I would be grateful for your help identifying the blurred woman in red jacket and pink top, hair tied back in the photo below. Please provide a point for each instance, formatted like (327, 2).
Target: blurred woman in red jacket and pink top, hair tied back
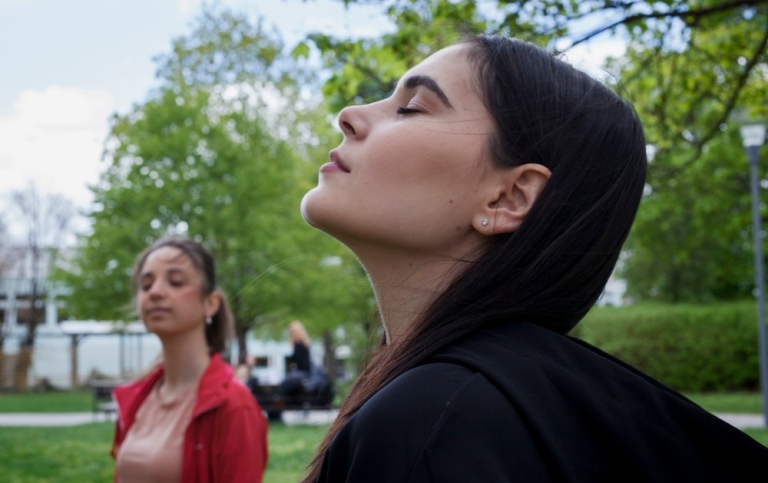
(189, 419)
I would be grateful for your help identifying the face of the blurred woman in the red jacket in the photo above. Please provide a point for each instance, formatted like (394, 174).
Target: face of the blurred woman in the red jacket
(170, 296)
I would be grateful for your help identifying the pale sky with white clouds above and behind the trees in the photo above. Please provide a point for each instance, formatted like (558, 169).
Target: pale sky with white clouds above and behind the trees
(67, 65)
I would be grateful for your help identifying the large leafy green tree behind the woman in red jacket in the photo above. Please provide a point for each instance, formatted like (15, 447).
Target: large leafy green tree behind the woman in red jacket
(214, 153)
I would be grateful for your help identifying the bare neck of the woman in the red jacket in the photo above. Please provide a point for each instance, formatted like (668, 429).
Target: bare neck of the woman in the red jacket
(185, 358)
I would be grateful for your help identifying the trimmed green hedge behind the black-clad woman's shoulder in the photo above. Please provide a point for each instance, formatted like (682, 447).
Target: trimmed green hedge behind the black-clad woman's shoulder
(691, 348)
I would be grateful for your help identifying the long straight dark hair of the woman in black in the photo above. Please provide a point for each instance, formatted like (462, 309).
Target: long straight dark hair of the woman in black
(554, 267)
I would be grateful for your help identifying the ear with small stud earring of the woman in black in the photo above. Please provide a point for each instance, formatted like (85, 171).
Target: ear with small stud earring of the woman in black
(511, 200)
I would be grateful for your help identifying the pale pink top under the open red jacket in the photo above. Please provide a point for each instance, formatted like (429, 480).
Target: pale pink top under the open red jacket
(152, 450)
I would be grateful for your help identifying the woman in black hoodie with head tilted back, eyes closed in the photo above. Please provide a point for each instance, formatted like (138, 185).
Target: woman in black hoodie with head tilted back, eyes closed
(488, 199)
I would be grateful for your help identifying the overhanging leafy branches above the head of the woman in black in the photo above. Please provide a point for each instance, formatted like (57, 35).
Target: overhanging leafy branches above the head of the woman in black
(702, 50)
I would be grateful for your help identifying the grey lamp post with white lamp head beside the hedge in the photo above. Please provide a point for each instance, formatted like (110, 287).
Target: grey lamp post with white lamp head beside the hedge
(753, 137)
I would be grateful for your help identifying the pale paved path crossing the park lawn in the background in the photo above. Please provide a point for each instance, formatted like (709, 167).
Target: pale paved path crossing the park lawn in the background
(313, 417)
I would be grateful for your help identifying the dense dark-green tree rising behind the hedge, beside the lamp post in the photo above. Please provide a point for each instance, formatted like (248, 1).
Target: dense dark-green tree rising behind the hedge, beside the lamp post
(692, 236)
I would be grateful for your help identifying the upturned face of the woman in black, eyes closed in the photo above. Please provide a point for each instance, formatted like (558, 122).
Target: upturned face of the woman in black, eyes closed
(408, 172)
